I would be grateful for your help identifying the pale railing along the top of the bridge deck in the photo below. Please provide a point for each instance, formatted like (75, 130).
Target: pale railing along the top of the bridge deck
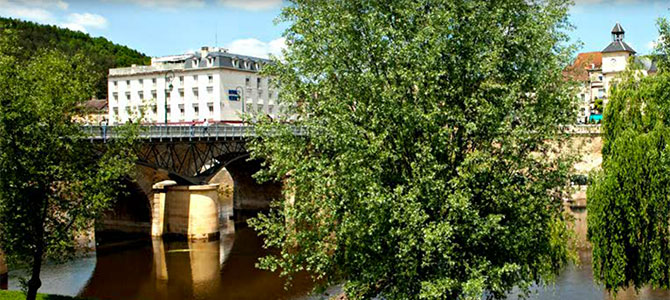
(159, 132)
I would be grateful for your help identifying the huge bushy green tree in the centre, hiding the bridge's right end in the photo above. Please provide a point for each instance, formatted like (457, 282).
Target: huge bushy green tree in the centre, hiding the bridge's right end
(430, 167)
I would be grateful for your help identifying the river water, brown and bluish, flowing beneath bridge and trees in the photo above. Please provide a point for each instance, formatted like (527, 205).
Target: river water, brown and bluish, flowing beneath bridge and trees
(225, 270)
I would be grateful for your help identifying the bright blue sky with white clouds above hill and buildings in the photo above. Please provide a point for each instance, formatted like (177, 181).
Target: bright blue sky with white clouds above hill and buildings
(166, 27)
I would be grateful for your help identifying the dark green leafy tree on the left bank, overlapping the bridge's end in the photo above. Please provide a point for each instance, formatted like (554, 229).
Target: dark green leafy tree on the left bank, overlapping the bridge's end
(53, 182)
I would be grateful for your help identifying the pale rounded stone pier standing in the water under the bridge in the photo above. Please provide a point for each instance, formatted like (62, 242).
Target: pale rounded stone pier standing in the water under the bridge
(186, 211)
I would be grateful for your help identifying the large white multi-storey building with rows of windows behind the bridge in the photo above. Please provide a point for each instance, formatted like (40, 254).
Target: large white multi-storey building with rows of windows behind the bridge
(211, 84)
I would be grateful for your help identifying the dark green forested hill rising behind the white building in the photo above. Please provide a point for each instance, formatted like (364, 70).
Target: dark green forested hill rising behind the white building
(103, 53)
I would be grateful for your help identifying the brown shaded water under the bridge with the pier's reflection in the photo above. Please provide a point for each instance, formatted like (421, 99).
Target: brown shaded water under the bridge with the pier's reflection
(190, 270)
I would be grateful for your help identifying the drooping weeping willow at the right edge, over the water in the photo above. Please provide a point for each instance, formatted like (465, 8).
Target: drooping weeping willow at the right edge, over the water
(628, 204)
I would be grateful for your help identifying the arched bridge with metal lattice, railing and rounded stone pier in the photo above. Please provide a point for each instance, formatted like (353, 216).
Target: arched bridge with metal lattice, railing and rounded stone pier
(189, 180)
